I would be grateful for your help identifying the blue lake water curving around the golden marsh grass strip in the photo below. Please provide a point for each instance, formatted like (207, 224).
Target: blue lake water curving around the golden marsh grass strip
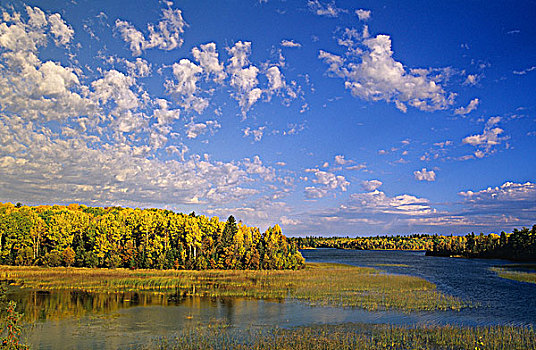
(74, 320)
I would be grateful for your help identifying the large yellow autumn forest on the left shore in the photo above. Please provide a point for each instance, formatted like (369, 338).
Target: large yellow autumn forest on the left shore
(76, 235)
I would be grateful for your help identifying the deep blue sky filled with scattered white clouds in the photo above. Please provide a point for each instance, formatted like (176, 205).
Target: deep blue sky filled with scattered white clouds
(325, 117)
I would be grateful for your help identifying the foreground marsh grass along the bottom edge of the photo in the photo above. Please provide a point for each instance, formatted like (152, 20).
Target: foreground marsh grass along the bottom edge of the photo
(351, 336)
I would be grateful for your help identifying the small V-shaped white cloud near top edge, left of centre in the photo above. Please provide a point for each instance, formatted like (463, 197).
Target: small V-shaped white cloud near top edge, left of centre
(165, 35)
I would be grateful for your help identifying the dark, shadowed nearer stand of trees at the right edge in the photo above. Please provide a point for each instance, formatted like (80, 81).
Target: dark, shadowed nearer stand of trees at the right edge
(518, 245)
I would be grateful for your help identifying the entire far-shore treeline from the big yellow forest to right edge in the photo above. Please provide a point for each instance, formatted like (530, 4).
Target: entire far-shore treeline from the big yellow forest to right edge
(518, 245)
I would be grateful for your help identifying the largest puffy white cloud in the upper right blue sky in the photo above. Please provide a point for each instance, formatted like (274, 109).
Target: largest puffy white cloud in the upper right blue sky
(371, 73)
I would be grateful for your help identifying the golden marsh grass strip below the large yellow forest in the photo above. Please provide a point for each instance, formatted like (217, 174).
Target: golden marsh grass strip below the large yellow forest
(318, 284)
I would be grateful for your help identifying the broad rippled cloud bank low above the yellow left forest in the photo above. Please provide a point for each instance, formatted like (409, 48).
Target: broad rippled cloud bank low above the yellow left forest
(65, 169)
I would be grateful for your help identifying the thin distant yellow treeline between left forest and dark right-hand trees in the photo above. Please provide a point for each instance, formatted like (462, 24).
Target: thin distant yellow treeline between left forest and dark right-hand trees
(411, 242)
